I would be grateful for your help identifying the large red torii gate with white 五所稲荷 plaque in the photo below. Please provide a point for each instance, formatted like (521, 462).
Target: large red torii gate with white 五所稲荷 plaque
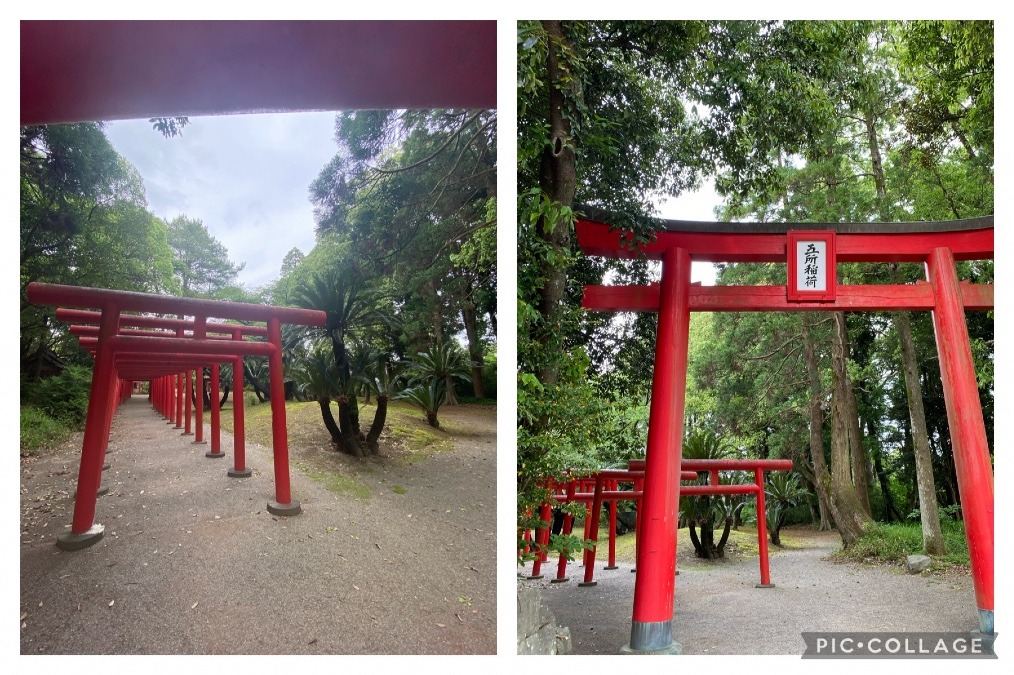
(811, 288)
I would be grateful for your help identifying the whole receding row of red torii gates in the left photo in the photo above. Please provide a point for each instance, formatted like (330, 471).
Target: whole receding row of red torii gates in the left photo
(130, 344)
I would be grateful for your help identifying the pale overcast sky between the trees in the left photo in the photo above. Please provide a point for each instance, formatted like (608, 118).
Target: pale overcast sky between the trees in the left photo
(247, 178)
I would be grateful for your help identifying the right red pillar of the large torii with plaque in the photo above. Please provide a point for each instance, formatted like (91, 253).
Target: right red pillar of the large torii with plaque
(965, 419)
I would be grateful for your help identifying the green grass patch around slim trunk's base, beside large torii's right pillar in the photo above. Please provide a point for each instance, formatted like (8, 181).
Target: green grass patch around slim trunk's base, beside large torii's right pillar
(891, 544)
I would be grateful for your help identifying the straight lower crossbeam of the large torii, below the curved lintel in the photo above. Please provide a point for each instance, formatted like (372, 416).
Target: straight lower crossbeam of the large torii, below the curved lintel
(773, 298)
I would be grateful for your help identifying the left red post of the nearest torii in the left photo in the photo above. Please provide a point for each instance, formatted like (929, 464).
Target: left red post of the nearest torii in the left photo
(85, 531)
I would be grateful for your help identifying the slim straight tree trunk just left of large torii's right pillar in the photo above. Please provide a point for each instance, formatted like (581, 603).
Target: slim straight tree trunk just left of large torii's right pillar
(933, 542)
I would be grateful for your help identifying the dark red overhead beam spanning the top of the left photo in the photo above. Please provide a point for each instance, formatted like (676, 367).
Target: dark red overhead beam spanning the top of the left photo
(76, 71)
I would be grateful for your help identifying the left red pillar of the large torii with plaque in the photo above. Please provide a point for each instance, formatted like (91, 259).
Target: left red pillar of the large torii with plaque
(651, 627)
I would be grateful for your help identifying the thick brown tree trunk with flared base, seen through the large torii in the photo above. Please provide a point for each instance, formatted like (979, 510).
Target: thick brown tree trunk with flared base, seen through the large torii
(850, 517)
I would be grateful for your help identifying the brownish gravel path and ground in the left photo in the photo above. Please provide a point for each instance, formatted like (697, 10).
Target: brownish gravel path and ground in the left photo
(192, 563)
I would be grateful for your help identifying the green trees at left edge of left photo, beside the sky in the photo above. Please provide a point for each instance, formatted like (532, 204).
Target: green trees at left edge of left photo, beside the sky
(85, 222)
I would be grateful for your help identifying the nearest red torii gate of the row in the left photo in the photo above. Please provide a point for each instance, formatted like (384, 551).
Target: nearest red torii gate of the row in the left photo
(122, 352)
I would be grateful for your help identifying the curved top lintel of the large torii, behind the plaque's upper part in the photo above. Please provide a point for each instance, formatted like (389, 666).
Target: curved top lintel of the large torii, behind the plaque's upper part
(599, 240)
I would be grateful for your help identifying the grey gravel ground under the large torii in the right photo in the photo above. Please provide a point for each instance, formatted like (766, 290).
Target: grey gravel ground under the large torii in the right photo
(719, 612)
